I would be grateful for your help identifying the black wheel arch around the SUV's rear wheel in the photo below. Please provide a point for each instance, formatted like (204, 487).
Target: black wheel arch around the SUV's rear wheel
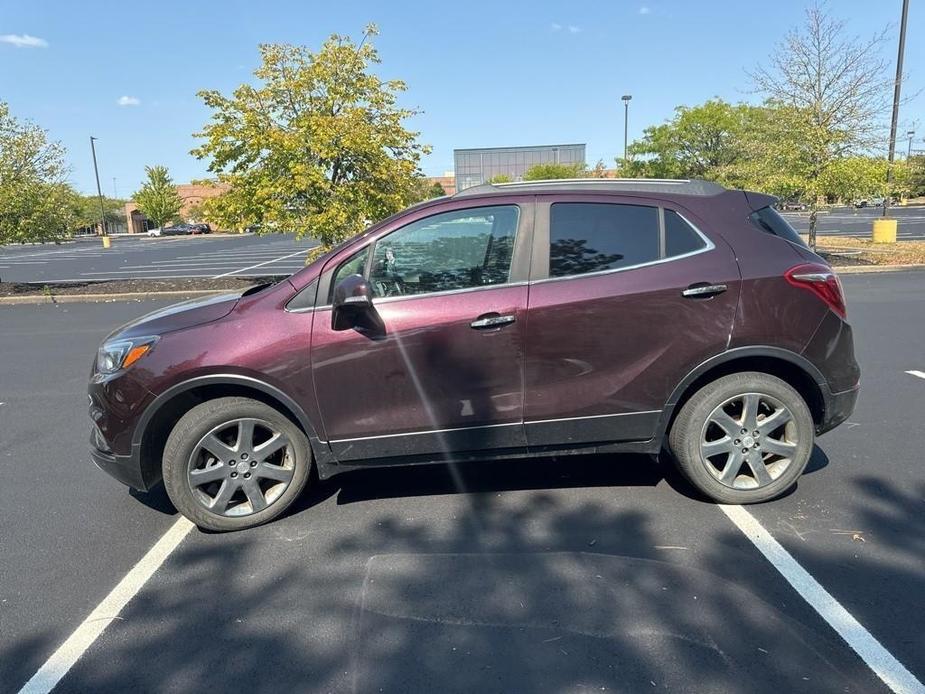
(790, 367)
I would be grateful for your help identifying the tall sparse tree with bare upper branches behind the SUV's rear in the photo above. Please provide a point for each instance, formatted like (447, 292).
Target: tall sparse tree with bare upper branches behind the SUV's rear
(829, 92)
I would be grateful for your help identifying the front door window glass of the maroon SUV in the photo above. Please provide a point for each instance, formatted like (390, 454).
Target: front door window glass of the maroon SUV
(462, 249)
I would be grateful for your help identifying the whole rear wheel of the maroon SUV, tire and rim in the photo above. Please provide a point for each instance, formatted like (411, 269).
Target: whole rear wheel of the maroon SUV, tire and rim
(744, 438)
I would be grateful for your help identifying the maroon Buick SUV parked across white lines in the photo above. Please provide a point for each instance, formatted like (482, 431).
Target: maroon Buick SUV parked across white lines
(512, 320)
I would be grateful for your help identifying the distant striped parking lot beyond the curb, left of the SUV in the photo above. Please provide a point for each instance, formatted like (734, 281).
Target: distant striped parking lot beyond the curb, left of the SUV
(154, 258)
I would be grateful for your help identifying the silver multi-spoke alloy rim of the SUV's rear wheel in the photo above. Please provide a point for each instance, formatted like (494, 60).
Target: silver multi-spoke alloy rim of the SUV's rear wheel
(749, 441)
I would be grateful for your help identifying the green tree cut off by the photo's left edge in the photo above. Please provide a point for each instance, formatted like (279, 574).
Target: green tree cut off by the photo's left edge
(36, 204)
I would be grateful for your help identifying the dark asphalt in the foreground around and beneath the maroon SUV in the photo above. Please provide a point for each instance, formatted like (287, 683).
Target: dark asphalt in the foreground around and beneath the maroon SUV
(599, 573)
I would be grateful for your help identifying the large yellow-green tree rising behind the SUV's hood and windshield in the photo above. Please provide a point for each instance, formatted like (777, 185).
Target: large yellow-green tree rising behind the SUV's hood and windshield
(319, 146)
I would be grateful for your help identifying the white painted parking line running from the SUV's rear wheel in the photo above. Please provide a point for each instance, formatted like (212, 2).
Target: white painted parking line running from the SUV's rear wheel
(893, 673)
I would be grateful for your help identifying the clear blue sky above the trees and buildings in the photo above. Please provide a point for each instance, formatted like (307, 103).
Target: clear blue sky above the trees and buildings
(484, 73)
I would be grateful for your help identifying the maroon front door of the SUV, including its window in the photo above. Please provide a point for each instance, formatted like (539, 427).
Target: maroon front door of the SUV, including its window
(443, 372)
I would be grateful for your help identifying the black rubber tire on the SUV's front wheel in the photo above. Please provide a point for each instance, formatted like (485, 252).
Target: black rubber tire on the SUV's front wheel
(205, 418)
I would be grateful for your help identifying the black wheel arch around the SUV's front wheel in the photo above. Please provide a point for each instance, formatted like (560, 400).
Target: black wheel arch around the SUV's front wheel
(165, 411)
